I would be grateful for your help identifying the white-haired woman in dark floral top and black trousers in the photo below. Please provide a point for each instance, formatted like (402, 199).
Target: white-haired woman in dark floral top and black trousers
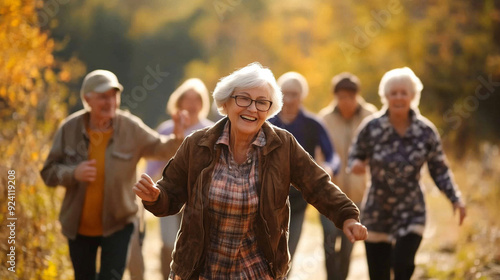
(395, 144)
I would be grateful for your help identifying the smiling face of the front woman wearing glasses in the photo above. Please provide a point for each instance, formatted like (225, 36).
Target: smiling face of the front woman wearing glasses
(246, 121)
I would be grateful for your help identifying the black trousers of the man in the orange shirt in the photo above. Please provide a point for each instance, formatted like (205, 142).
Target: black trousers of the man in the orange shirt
(114, 249)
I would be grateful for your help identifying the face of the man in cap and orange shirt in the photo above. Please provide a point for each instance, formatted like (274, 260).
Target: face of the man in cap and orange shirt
(103, 105)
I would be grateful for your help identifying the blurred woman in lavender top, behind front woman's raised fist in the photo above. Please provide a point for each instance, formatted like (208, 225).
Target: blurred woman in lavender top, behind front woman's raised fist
(190, 103)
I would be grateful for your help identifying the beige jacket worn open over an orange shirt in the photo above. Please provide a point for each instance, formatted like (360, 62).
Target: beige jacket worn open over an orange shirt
(131, 140)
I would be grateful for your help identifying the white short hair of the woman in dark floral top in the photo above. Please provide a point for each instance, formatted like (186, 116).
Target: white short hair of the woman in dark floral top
(401, 75)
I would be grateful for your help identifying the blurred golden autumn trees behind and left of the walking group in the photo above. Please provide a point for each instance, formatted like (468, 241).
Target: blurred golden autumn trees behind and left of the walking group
(46, 47)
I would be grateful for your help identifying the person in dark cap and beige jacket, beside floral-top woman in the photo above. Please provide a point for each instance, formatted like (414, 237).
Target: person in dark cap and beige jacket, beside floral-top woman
(341, 118)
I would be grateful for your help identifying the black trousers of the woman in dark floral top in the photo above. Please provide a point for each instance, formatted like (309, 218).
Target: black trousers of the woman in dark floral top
(400, 257)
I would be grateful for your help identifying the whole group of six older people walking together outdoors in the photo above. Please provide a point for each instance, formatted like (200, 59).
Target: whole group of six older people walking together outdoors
(232, 195)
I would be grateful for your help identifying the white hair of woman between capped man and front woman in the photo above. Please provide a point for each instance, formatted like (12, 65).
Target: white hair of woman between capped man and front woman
(196, 85)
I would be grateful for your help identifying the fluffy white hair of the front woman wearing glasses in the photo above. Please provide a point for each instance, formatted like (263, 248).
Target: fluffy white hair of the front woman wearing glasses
(251, 76)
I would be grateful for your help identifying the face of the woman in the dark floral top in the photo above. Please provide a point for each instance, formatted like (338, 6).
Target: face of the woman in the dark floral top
(399, 98)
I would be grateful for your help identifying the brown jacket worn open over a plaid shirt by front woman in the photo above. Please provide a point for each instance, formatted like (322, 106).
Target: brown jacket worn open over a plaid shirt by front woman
(187, 177)
